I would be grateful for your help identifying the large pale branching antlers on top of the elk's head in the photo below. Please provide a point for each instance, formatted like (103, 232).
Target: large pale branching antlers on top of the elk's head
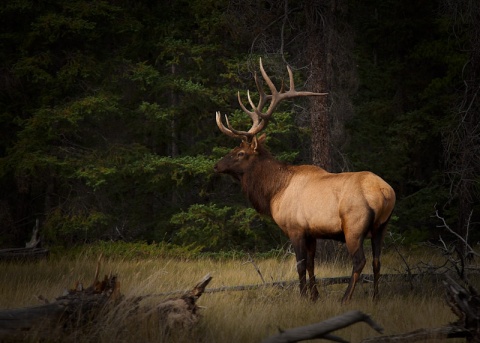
(260, 119)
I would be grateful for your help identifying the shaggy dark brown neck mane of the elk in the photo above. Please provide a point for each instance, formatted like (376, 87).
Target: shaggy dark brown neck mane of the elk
(265, 178)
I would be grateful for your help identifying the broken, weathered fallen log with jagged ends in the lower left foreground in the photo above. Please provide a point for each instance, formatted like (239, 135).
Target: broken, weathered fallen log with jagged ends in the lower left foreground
(81, 306)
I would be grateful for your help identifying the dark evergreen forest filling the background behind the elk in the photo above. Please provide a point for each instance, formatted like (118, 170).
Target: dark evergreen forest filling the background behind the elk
(107, 113)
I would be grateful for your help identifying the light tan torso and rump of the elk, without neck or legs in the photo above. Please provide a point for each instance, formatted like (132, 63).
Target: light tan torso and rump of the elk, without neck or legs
(316, 201)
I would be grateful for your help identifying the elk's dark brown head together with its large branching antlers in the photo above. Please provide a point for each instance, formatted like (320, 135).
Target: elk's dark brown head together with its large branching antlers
(239, 159)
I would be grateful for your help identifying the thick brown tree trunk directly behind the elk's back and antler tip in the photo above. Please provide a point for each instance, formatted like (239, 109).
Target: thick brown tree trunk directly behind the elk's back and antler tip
(324, 47)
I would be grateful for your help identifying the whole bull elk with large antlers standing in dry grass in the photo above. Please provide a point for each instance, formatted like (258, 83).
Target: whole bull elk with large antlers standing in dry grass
(306, 201)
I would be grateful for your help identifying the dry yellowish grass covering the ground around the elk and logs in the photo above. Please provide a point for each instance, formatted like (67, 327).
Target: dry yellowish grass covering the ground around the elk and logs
(233, 316)
